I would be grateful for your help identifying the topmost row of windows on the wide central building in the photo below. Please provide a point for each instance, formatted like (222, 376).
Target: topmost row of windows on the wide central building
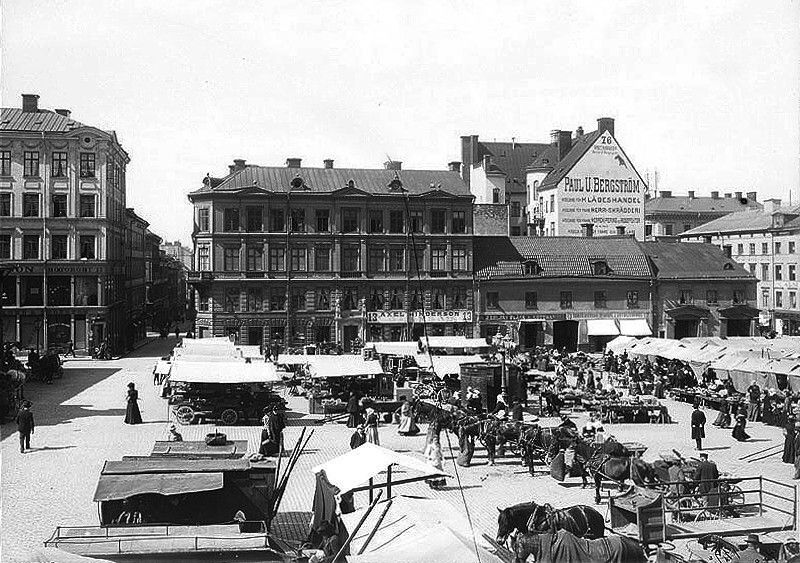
(350, 220)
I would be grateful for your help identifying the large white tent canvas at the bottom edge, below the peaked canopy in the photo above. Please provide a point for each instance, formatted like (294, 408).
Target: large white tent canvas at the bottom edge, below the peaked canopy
(411, 530)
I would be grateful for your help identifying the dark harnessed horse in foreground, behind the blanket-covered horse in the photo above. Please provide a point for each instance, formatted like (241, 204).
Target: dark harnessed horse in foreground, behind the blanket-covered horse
(581, 520)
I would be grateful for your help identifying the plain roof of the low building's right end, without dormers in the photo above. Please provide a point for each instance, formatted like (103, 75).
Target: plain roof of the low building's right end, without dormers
(691, 260)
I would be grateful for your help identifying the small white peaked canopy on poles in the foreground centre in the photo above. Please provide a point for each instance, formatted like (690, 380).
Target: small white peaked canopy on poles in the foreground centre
(358, 466)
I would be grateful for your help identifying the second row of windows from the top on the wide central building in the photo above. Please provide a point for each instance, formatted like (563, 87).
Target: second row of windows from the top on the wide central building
(379, 259)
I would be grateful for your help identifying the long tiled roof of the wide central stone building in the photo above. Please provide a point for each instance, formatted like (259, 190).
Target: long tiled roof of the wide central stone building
(326, 180)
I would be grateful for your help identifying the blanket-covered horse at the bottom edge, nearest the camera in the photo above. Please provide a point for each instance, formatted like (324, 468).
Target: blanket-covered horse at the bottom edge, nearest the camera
(563, 546)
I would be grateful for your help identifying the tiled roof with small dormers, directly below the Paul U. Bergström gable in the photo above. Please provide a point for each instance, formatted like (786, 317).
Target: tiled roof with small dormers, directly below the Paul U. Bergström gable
(498, 257)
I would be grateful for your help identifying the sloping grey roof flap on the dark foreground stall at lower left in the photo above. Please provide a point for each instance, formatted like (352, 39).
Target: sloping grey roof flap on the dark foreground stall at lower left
(117, 487)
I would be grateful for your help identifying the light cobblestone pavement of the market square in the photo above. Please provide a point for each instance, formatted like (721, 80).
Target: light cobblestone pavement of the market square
(80, 426)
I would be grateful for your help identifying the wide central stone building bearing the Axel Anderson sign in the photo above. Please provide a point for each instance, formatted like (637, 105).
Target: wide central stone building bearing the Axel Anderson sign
(303, 255)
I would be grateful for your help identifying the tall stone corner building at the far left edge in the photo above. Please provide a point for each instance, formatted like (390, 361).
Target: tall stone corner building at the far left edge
(62, 228)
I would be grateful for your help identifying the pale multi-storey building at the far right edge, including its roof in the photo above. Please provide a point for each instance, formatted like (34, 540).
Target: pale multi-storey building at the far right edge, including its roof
(767, 243)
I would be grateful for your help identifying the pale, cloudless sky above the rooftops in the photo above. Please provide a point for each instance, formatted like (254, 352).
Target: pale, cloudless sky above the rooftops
(707, 93)
